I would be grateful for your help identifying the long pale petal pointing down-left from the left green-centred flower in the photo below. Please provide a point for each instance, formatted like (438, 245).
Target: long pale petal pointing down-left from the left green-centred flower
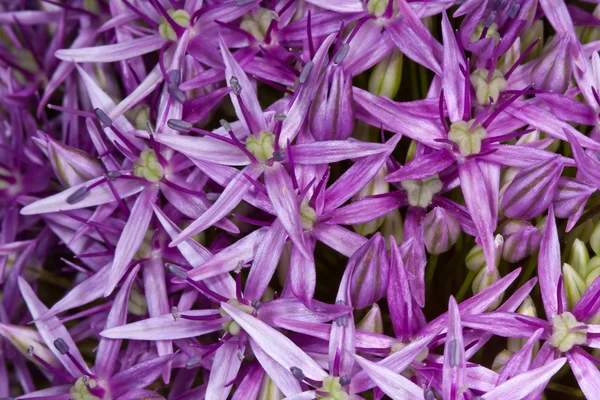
(131, 237)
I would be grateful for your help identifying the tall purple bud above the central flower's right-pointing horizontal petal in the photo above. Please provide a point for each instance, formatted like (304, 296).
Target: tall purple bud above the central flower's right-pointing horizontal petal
(332, 112)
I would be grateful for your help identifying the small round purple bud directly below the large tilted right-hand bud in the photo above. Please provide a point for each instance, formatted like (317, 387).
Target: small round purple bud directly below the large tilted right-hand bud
(521, 239)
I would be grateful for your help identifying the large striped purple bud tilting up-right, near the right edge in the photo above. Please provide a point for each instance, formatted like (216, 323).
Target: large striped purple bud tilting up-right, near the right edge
(532, 190)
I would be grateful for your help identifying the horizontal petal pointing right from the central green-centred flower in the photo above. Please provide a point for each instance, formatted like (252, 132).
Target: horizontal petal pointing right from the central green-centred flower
(330, 151)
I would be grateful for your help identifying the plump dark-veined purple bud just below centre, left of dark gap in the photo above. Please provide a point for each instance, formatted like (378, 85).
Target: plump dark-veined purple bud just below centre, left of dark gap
(368, 281)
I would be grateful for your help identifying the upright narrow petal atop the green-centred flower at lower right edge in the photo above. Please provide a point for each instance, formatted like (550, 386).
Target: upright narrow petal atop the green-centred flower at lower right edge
(549, 266)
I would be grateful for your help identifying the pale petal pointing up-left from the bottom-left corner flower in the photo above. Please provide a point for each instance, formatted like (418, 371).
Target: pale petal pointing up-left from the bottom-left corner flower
(50, 329)
